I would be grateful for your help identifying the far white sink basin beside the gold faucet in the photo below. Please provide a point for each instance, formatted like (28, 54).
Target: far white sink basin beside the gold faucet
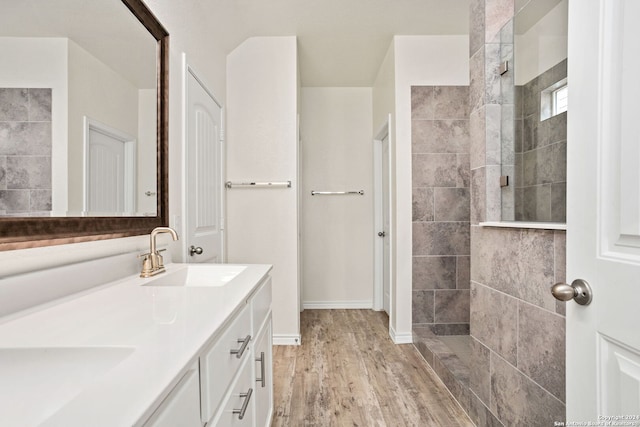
(203, 275)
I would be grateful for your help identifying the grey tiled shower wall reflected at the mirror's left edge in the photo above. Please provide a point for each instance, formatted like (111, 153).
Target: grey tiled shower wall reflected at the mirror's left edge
(25, 151)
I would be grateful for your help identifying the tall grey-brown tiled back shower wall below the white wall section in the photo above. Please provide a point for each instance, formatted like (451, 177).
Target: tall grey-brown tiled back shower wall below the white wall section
(440, 165)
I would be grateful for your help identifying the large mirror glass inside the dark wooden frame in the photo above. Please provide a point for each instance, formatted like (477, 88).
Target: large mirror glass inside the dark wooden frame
(78, 110)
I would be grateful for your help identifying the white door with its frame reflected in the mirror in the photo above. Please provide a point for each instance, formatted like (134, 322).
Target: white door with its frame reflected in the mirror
(109, 180)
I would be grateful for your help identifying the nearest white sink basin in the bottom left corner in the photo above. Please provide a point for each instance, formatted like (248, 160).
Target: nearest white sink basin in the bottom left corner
(36, 382)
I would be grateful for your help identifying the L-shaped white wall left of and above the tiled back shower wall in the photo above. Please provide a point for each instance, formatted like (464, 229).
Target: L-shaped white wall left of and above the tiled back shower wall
(419, 61)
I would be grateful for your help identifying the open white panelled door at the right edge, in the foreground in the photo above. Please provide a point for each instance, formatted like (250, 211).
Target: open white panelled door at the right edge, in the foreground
(603, 216)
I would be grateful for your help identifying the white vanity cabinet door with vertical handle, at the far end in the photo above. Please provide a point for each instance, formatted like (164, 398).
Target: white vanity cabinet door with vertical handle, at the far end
(263, 369)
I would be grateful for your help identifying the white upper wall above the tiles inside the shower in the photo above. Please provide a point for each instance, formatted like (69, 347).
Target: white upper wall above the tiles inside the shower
(542, 46)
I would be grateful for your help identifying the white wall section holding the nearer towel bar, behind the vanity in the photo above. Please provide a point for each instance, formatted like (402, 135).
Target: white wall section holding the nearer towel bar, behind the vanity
(262, 145)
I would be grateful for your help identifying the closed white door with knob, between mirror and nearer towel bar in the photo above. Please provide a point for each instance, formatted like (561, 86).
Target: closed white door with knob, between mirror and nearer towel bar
(204, 220)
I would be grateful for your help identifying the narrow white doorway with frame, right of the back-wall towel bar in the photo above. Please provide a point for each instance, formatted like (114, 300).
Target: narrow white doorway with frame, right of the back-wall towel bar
(378, 250)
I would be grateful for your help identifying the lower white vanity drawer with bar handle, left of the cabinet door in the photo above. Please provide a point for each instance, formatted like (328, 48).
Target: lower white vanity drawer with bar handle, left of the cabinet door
(238, 402)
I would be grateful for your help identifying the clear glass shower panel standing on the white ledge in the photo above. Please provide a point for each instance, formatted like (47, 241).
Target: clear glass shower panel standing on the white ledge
(534, 112)
